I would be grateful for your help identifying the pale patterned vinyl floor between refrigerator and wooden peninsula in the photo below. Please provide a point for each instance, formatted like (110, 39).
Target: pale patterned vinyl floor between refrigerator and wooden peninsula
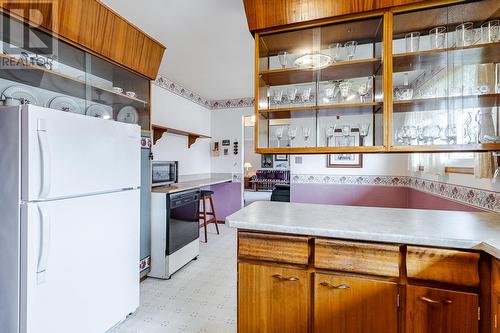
(199, 298)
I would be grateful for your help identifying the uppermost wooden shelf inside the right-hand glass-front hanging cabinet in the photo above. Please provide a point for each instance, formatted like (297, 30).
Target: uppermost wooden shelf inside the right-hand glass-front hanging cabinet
(469, 55)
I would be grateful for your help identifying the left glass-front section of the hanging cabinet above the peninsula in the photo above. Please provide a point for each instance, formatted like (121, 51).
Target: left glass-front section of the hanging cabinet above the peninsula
(320, 88)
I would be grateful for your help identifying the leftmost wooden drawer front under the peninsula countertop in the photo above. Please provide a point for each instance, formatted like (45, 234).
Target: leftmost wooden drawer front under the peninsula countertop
(276, 248)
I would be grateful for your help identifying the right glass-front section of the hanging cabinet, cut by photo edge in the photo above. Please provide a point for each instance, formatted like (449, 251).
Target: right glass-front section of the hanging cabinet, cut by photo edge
(446, 78)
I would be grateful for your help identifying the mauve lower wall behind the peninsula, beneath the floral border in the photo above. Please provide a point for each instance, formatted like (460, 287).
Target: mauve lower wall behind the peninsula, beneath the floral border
(375, 196)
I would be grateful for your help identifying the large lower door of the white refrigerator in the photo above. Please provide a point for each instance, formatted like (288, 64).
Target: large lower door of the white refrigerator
(79, 263)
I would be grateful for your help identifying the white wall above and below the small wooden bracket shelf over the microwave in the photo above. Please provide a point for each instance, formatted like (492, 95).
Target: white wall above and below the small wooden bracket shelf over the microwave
(173, 111)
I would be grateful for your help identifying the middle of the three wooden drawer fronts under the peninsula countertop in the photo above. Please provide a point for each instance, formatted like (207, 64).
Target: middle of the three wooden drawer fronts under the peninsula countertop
(375, 259)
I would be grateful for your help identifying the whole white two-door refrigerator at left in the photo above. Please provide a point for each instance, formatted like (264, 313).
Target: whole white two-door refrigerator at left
(69, 221)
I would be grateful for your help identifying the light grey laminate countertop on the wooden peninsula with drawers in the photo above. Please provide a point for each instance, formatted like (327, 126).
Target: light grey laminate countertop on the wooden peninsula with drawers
(452, 229)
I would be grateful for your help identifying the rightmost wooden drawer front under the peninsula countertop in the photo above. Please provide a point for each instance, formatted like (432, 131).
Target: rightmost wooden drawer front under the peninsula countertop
(440, 265)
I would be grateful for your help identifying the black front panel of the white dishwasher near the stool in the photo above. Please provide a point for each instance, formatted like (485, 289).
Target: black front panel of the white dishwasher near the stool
(182, 219)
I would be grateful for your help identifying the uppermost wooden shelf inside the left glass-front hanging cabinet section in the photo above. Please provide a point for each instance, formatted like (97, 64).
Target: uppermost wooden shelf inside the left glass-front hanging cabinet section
(337, 71)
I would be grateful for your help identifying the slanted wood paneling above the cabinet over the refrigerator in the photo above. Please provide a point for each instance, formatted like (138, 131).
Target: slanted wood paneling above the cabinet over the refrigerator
(93, 26)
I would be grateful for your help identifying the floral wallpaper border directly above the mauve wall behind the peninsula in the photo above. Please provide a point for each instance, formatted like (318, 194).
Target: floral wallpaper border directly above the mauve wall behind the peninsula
(483, 199)
